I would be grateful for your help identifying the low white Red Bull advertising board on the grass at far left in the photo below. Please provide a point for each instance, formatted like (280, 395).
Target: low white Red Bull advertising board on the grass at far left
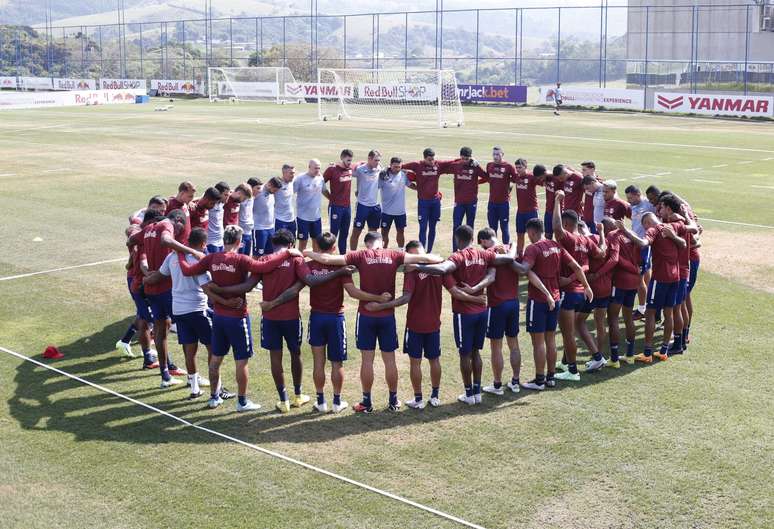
(22, 100)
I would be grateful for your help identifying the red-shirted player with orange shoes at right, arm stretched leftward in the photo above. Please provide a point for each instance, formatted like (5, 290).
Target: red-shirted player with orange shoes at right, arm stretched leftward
(665, 242)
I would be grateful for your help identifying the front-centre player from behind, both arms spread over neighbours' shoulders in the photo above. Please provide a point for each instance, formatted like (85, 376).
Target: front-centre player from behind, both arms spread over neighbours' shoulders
(377, 267)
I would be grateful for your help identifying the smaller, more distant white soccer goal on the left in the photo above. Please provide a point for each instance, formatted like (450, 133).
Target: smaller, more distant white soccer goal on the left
(260, 83)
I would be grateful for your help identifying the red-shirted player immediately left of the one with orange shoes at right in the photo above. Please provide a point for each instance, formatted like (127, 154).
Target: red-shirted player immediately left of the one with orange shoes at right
(626, 282)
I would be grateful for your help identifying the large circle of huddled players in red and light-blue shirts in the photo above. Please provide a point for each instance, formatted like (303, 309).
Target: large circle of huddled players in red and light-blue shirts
(192, 261)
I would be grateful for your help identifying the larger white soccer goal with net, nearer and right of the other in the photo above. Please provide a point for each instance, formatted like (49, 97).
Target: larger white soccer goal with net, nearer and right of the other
(427, 96)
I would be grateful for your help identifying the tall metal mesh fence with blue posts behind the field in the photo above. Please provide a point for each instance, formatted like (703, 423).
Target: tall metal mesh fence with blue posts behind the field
(691, 48)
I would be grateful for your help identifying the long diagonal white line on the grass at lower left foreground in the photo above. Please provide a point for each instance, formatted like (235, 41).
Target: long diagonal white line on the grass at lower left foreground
(257, 448)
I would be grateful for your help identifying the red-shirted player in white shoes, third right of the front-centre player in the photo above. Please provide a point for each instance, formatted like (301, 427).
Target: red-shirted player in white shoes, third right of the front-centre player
(503, 314)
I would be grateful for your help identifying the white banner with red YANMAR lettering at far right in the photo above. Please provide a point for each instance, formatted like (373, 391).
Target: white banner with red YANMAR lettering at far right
(714, 104)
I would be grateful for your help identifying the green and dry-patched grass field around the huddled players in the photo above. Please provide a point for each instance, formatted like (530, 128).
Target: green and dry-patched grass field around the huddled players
(685, 443)
